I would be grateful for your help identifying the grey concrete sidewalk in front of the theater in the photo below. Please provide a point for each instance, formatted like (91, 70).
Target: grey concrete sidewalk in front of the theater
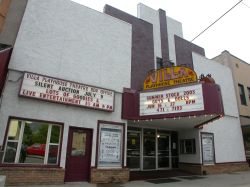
(237, 179)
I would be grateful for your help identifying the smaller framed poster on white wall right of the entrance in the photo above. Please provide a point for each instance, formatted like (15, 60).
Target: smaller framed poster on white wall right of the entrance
(207, 144)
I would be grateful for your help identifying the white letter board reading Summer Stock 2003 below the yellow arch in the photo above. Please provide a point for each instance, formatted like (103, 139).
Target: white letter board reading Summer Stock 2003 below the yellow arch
(182, 99)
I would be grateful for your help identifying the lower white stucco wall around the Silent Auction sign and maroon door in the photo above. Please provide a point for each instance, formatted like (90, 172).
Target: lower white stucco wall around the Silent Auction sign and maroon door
(13, 105)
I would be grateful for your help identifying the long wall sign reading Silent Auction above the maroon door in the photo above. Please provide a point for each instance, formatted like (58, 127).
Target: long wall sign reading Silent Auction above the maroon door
(66, 92)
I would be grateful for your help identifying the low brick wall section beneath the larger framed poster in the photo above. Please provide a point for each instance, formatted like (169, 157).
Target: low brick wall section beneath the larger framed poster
(109, 175)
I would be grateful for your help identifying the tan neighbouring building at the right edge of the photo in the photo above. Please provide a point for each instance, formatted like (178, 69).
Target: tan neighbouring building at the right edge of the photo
(240, 71)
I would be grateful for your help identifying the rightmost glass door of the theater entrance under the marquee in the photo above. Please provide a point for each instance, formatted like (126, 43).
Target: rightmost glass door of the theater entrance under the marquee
(163, 150)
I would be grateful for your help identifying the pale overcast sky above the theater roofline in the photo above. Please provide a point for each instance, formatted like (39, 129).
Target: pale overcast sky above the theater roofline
(231, 33)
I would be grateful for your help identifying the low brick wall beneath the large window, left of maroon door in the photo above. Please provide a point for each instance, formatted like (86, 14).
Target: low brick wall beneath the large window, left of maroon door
(30, 176)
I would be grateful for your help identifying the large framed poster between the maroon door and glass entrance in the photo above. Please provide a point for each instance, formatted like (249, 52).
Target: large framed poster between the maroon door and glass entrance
(110, 144)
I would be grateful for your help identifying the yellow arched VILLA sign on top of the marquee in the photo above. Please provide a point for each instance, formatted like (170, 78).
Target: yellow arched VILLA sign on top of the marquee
(170, 76)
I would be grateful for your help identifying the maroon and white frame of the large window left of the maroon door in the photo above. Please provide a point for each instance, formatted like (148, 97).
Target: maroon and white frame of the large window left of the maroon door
(17, 156)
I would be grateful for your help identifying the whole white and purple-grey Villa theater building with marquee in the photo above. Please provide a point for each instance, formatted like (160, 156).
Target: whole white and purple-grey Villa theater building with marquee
(103, 97)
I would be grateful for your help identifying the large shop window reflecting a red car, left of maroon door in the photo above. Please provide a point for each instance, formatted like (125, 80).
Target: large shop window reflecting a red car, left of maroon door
(32, 142)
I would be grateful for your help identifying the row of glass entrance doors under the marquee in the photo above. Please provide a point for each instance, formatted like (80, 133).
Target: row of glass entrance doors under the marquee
(149, 149)
